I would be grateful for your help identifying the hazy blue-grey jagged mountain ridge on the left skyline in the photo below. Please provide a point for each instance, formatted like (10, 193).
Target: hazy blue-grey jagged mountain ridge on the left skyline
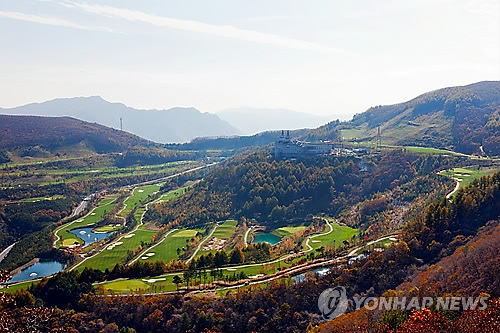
(165, 126)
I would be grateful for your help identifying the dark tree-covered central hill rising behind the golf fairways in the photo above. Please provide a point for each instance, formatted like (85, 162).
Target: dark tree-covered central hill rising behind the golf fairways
(272, 191)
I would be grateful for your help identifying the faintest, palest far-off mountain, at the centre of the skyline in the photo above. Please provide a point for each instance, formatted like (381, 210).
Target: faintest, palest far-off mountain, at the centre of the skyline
(251, 121)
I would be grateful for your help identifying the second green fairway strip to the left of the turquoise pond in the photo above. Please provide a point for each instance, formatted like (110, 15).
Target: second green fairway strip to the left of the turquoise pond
(167, 249)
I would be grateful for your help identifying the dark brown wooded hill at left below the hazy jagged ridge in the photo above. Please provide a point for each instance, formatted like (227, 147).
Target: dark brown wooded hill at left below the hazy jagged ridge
(25, 137)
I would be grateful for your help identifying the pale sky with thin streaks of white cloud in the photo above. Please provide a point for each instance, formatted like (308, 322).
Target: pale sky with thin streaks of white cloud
(327, 57)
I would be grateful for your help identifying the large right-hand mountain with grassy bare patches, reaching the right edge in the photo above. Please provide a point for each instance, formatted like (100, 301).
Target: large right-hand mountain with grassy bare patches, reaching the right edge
(464, 118)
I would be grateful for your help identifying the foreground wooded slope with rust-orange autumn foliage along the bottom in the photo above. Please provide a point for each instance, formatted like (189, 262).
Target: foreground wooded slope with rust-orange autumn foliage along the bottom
(283, 306)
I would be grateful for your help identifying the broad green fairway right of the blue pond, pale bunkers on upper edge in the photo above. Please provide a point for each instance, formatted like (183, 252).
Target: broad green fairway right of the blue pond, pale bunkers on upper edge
(117, 251)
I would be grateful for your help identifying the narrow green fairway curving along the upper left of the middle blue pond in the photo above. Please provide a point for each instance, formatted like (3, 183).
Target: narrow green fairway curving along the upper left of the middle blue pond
(96, 215)
